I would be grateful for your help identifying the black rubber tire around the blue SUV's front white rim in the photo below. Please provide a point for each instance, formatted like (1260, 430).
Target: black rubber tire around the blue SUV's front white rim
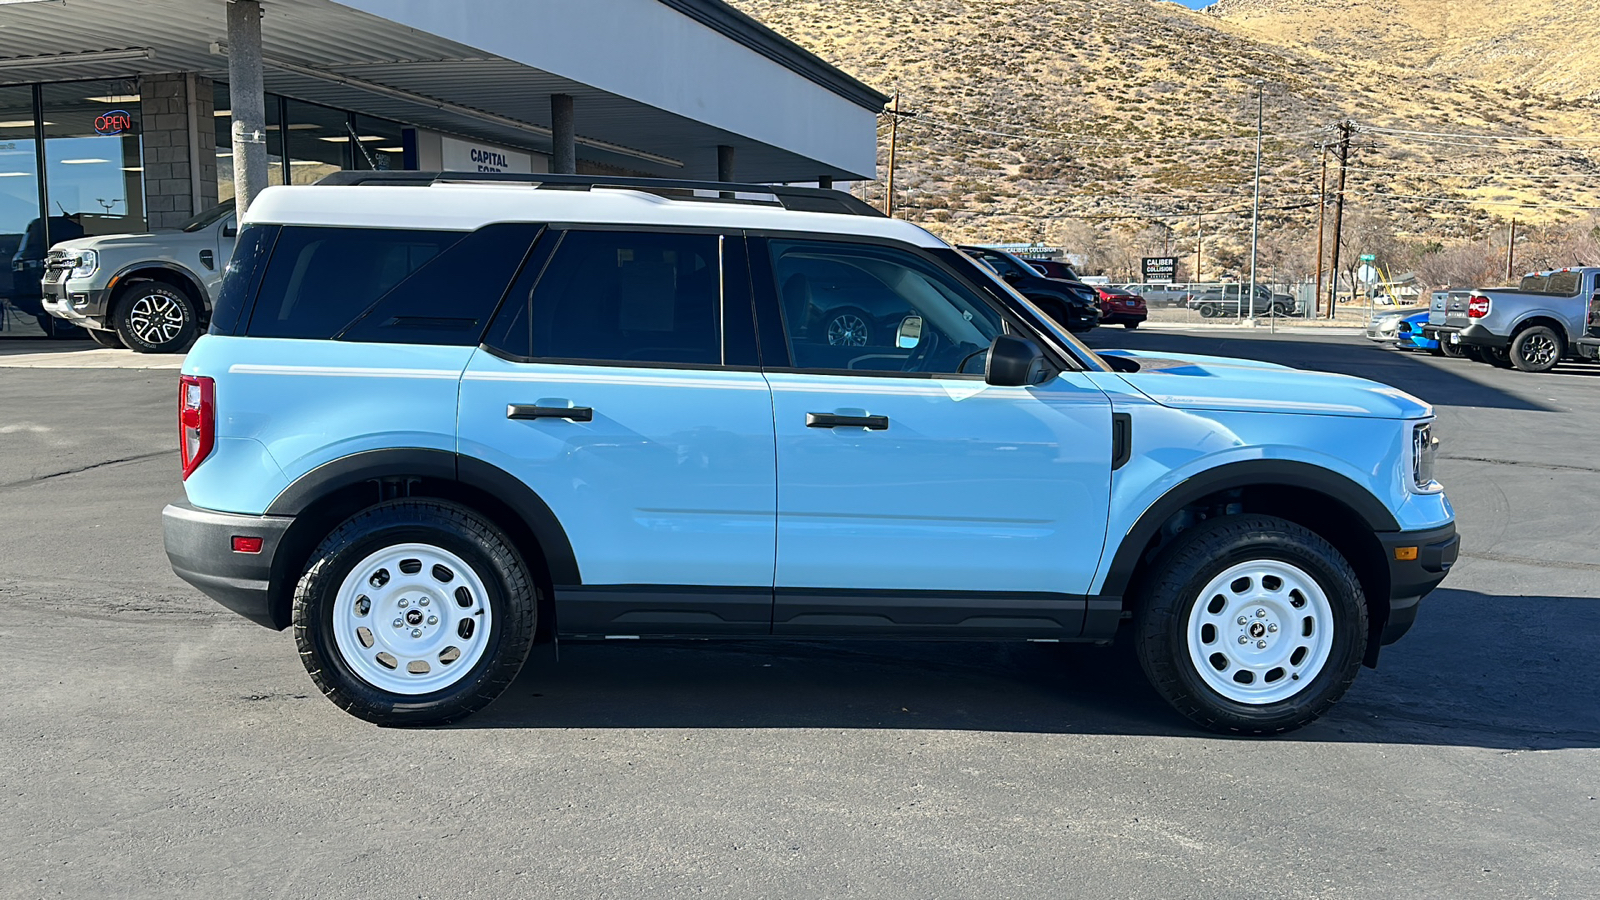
(1175, 587)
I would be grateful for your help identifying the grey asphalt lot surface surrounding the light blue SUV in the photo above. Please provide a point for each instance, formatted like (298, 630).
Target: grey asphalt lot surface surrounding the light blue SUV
(158, 745)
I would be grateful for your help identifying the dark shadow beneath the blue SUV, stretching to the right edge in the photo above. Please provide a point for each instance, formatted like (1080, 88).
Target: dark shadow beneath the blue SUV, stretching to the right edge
(1476, 672)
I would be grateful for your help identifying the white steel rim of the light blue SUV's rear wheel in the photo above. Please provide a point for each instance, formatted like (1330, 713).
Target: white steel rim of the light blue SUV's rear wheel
(412, 619)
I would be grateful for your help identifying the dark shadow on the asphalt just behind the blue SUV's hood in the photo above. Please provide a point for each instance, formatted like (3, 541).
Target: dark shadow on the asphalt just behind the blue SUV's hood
(1436, 380)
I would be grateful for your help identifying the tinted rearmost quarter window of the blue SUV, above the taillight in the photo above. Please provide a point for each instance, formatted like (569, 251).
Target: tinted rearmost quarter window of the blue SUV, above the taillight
(322, 278)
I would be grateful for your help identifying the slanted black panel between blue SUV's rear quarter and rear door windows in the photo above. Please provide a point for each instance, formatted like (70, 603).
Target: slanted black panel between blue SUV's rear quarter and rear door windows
(449, 300)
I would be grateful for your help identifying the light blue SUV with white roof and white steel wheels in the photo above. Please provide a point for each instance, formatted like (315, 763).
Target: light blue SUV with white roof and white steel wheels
(439, 419)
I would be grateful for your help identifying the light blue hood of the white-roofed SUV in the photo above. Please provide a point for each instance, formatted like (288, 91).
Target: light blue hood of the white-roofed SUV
(1188, 382)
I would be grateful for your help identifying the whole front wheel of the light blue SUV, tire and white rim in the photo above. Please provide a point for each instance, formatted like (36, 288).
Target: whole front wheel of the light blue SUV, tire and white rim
(1252, 624)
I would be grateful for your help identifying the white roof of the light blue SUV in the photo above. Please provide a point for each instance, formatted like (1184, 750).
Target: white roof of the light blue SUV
(468, 207)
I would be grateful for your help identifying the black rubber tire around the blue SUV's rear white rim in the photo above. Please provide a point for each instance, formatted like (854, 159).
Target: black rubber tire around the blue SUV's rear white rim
(513, 605)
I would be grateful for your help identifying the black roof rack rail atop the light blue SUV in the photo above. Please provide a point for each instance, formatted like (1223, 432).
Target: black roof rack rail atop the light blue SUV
(798, 199)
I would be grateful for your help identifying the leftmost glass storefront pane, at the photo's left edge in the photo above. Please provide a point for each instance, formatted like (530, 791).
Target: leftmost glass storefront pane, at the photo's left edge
(18, 212)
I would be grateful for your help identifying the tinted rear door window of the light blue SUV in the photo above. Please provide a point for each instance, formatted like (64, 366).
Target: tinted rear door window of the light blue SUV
(622, 297)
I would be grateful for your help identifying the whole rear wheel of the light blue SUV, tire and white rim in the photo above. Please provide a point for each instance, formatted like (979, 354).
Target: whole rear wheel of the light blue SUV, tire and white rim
(415, 613)
